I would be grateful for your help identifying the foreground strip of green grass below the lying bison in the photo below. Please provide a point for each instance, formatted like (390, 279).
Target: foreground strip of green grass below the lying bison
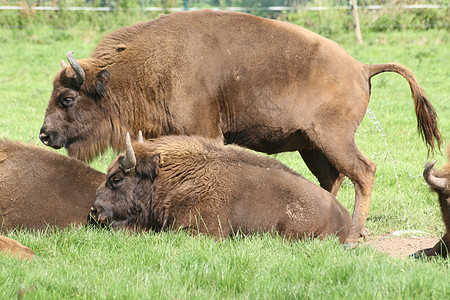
(81, 263)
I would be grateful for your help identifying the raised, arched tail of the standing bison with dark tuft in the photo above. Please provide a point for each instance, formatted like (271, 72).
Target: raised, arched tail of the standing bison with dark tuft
(425, 112)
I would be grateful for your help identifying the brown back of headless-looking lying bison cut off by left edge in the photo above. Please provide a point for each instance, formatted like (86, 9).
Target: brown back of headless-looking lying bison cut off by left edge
(40, 188)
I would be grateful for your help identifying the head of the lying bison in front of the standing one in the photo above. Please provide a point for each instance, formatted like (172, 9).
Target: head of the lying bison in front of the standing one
(125, 198)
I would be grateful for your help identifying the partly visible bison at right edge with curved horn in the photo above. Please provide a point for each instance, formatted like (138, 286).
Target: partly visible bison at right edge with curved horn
(439, 181)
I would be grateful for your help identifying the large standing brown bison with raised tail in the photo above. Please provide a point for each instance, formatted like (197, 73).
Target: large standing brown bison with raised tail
(263, 84)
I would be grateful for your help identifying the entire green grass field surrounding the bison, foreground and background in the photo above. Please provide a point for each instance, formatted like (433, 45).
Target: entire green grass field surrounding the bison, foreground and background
(84, 263)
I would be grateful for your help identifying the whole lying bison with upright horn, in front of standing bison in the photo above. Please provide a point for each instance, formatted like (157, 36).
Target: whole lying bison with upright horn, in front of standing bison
(206, 187)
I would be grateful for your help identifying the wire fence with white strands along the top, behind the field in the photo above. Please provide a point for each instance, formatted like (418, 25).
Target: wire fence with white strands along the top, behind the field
(235, 5)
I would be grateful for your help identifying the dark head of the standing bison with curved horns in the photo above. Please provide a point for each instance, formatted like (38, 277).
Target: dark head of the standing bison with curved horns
(75, 111)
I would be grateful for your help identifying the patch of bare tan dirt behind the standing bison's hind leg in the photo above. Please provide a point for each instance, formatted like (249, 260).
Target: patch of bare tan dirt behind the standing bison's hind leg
(400, 246)
